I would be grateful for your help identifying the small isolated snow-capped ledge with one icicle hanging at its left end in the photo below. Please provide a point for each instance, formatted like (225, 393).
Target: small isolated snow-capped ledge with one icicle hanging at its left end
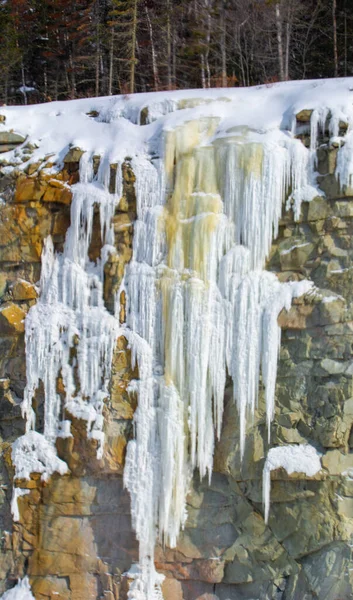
(302, 458)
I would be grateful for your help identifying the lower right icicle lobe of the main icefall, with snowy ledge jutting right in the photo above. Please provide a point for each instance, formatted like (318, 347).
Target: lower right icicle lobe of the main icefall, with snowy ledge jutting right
(254, 340)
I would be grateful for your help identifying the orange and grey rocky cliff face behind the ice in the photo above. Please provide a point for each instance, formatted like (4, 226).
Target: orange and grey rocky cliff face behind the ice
(73, 536)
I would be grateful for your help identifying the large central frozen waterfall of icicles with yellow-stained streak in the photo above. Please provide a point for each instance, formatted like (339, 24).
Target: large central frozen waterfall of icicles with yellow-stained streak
(198, 298)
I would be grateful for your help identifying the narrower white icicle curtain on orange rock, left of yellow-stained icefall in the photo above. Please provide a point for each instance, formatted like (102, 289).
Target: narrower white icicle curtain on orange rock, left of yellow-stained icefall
(69, 333)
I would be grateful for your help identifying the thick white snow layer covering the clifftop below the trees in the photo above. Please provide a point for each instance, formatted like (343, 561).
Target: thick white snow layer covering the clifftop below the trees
(116, 133)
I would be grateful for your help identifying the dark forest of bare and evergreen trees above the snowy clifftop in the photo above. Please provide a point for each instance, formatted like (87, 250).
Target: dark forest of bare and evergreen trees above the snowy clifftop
(64, 49)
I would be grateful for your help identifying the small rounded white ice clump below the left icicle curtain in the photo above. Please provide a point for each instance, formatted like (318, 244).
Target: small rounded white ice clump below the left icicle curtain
(33, 453)
